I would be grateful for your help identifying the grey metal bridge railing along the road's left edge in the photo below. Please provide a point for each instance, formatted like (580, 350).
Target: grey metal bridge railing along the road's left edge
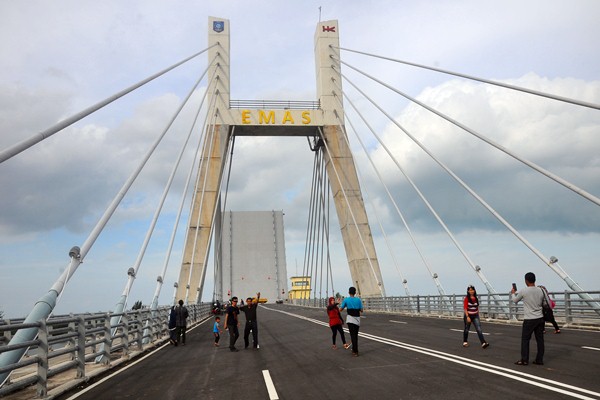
(75, 342)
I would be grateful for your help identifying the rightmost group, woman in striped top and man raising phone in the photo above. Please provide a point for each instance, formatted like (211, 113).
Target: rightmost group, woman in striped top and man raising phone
(537, 306)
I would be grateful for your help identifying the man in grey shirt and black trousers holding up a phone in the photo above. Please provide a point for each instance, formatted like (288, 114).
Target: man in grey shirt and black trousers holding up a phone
(533, 319)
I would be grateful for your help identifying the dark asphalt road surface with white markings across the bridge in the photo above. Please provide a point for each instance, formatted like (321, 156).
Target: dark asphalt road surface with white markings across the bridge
(400, 358)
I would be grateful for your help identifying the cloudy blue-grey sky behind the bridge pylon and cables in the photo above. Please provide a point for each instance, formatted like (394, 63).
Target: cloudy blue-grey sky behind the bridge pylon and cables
(61, 57)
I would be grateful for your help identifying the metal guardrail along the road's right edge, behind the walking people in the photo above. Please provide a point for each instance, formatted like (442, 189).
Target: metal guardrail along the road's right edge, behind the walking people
(570, 309)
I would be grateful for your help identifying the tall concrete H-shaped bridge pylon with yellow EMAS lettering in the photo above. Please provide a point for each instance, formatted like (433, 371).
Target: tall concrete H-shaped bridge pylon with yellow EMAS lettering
(323, 118)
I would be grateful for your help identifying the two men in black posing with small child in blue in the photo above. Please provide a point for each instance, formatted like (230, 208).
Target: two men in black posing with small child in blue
(232, 323)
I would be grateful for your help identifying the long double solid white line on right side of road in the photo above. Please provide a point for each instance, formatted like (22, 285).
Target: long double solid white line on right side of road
(505, 372)
